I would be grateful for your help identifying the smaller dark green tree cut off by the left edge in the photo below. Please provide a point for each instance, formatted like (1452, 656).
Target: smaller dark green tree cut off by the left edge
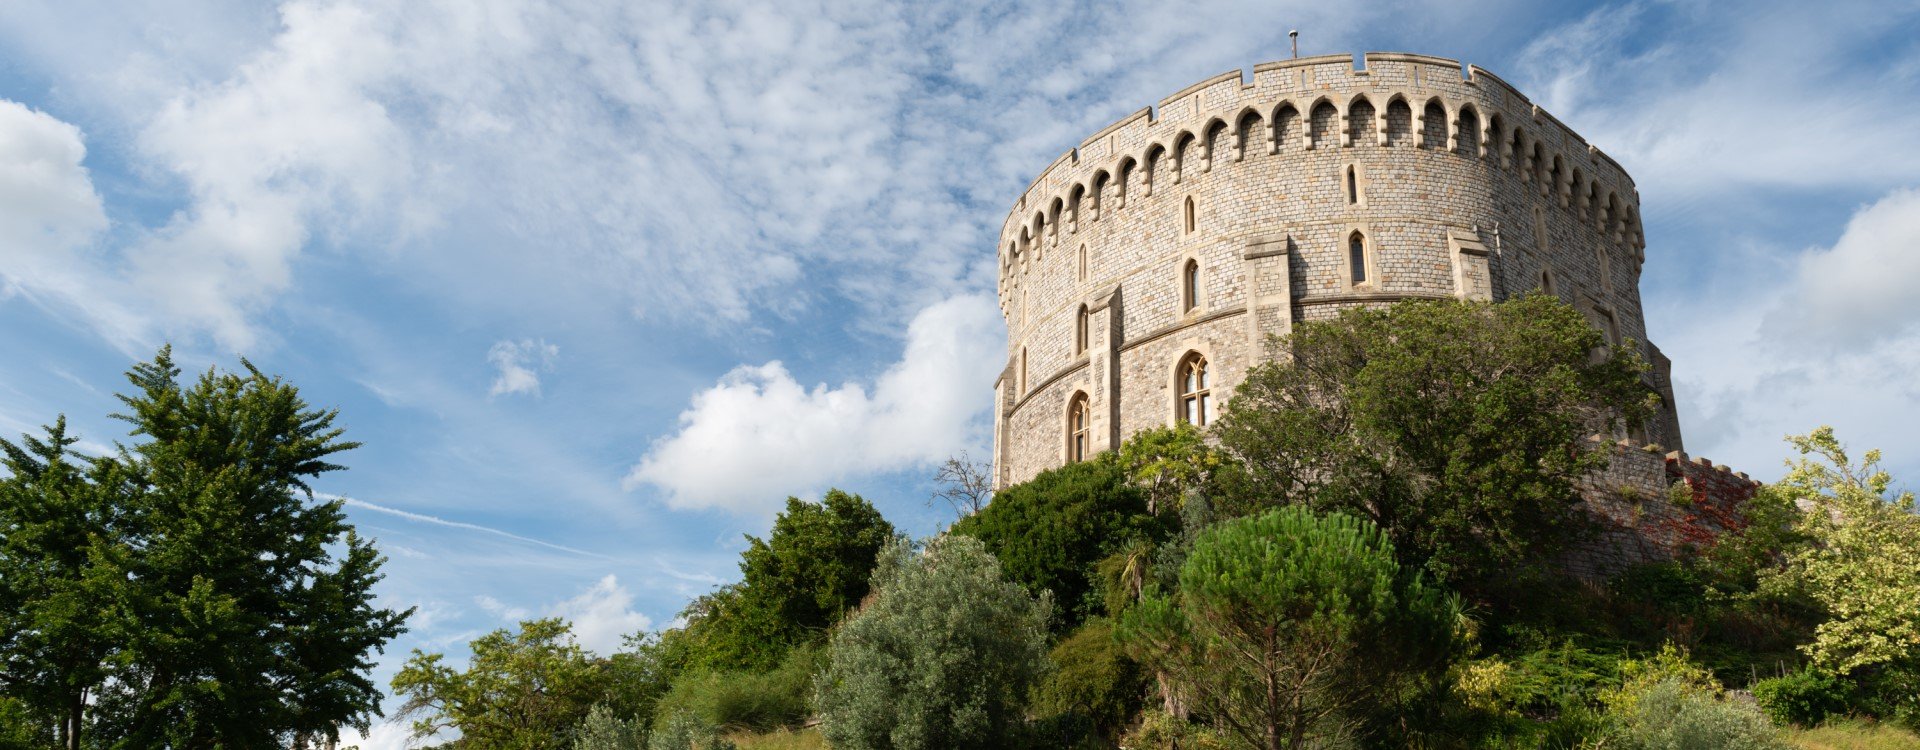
(59, 580)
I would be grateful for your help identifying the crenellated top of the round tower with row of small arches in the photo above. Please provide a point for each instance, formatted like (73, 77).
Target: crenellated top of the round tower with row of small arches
(1310, 105)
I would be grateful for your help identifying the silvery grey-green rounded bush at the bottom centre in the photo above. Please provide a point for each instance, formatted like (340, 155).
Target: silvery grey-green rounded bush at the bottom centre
(942, 657)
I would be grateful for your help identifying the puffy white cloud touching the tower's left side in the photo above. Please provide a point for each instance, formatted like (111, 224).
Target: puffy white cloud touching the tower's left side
(759, 436)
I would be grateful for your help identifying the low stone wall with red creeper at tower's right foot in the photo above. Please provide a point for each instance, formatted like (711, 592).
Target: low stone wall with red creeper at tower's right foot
(1646, 519)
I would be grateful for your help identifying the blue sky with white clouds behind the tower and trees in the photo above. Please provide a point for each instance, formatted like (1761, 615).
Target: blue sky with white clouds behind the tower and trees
(602, 283)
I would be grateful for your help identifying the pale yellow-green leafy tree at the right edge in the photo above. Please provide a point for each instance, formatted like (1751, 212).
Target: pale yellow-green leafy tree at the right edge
(1861, 557)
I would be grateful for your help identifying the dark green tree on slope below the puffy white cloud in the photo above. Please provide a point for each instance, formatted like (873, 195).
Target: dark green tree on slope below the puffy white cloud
(794, 586)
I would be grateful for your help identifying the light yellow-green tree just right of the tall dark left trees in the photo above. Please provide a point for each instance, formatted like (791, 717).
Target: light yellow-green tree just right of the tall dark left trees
(521, 691)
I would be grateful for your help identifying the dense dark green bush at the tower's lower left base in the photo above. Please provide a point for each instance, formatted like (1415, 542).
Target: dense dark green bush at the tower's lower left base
(1053, 530)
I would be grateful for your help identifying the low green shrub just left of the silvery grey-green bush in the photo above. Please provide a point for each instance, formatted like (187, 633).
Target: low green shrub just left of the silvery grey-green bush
(738, 699)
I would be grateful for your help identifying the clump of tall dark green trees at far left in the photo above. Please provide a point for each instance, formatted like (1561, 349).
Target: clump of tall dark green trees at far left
(187, 590)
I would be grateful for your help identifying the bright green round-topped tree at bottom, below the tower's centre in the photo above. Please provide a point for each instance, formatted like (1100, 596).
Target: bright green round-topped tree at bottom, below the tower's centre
(1289, 624)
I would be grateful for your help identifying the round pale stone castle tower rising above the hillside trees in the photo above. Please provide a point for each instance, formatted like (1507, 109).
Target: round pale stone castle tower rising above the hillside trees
(1143, 271)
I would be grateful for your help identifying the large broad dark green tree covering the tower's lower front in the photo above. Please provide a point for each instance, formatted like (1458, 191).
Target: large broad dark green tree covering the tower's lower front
(1460, 429)
